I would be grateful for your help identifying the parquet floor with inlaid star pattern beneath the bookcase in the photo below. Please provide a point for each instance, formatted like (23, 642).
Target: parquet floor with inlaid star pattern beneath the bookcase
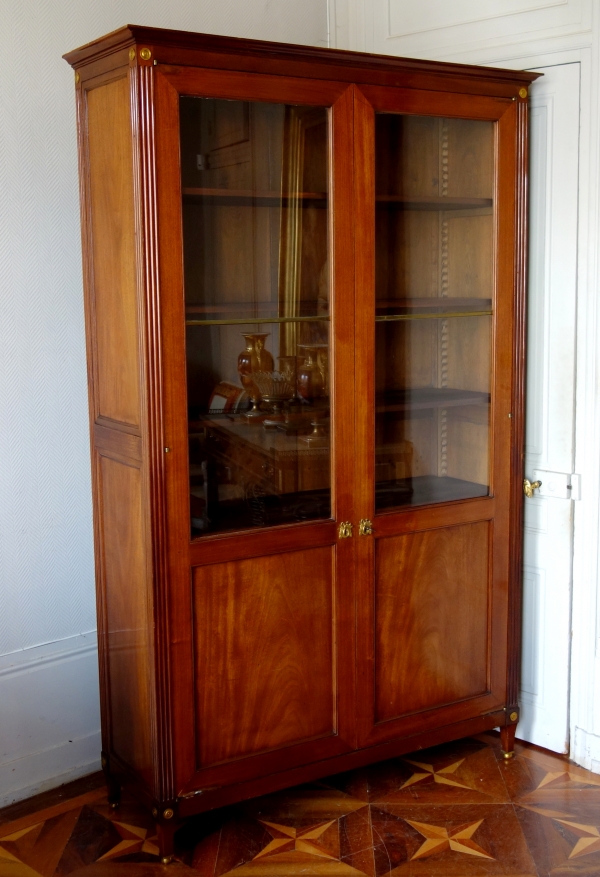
(457, 810)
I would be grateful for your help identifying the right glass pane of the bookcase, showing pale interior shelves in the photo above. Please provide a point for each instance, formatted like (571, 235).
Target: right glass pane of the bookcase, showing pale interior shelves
(434, 288)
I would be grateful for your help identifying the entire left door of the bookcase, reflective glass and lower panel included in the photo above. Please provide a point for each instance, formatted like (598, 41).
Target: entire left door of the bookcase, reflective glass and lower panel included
(257, 339)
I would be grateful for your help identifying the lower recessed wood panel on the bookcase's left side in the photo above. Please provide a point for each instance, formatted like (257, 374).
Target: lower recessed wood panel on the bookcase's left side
(127, 635)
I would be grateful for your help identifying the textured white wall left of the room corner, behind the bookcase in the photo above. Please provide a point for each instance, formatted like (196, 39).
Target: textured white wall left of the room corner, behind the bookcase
(49, 719)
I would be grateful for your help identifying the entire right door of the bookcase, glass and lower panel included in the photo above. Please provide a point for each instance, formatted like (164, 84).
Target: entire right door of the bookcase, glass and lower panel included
(436, 330)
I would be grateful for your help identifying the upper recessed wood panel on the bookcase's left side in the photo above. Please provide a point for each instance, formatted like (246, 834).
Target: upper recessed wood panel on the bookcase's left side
(113, 247)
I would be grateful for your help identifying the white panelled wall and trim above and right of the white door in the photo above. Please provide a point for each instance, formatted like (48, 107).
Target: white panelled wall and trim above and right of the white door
(531, 34)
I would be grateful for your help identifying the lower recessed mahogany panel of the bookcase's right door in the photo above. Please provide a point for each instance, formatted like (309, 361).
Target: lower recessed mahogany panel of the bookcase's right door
(431, 619)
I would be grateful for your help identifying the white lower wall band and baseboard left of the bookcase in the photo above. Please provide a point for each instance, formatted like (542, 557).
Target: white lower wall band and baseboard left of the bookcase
(49, 716)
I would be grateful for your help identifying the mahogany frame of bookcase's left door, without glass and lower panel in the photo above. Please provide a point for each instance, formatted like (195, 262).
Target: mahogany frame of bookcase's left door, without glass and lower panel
(184, 555)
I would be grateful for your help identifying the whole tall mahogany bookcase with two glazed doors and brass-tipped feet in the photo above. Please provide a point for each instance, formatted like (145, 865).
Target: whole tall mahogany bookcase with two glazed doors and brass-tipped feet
(304, 279)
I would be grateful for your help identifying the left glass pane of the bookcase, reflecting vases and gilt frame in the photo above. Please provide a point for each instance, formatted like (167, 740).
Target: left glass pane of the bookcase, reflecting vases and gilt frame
(255, 226)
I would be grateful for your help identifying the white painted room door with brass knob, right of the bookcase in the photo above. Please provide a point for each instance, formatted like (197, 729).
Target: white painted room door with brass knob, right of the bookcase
(550, 406)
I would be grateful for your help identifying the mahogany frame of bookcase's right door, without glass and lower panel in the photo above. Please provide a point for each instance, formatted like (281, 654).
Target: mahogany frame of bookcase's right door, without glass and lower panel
(503, 508)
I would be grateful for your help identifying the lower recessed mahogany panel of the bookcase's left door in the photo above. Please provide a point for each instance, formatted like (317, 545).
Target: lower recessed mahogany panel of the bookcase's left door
(263, 631)
